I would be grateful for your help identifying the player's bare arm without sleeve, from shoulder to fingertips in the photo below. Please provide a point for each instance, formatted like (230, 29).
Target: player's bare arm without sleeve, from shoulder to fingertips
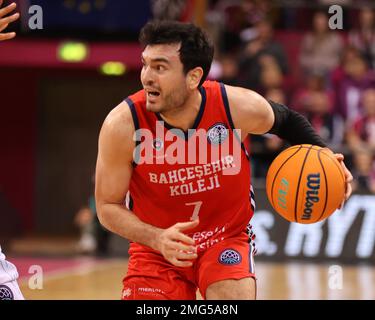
(113, 174)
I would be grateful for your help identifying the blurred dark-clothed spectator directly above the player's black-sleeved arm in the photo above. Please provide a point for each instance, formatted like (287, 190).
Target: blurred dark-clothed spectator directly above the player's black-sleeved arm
(264, 61)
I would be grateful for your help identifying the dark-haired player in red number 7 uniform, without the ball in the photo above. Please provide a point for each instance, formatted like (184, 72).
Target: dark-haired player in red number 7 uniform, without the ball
(188, 224)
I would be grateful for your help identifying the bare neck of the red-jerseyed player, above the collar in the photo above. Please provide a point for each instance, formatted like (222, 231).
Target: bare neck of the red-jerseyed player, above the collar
(184, 116)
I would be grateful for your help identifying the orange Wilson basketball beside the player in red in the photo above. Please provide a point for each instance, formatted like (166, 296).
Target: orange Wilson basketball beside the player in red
(305, 183)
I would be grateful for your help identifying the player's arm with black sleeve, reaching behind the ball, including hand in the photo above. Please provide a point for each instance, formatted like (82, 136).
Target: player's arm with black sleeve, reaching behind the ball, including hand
(255, 115)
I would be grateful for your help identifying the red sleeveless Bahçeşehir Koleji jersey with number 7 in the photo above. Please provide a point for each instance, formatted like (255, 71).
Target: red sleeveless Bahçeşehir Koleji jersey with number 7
(216, 187)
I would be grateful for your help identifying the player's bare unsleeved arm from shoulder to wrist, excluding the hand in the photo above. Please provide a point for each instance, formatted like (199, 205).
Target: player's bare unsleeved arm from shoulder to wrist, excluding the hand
(113, 173)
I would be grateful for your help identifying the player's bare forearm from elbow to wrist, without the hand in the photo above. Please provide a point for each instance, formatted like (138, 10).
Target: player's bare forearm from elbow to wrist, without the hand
(119, 220)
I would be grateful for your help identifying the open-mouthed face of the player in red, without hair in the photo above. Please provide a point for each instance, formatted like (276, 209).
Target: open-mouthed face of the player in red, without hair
(163, 78)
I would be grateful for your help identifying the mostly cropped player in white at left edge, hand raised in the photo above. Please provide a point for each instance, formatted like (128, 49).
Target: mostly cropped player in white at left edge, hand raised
(9, 289)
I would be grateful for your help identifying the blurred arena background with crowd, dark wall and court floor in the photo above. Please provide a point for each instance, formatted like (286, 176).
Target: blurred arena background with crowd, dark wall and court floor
(58, 83)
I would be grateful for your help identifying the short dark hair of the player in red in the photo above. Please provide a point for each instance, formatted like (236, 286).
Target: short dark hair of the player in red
(196, 49)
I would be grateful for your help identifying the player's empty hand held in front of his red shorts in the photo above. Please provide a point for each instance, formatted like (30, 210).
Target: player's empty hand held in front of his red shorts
(177, 247)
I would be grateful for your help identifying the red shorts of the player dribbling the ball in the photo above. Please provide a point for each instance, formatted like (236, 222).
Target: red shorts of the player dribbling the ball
(151, 277)
